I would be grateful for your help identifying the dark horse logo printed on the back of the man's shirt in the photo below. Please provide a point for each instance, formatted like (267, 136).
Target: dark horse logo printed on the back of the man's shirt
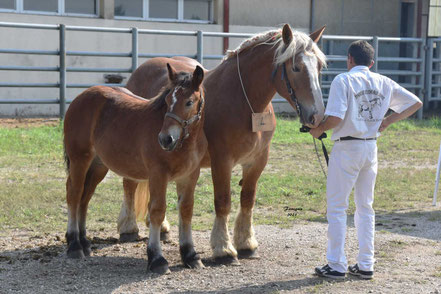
(369, 105)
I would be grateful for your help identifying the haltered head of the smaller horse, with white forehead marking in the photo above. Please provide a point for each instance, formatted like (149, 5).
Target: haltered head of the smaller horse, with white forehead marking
(185, 103)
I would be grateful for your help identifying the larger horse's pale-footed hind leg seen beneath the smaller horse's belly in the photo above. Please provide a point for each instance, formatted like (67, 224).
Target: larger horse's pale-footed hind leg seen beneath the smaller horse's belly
(127, 227)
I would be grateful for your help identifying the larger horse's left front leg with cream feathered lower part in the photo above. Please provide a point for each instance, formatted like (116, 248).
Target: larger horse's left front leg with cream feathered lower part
(223, 250)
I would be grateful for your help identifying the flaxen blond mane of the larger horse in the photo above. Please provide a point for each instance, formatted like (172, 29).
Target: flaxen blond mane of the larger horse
(301, 43)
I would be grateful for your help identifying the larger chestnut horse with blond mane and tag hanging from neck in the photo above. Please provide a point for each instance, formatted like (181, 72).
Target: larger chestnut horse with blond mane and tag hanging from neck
(283, 61)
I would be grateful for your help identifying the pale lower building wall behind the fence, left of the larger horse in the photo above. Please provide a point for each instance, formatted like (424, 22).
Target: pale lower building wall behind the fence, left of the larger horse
(89, 41)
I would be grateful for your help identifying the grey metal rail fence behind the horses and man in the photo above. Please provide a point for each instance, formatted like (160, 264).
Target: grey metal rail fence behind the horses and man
(424, 77)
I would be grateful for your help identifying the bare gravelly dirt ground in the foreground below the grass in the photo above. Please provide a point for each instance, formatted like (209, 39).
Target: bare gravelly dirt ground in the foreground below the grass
(408, 260)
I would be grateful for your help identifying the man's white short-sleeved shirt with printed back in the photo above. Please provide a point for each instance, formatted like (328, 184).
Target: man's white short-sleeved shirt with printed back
(361, 99)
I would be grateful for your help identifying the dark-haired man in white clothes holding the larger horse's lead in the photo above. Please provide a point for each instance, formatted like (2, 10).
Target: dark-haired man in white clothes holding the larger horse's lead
(357, 105)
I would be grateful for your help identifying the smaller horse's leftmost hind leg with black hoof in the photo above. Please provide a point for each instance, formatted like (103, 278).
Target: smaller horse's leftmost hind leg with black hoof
(74, 188)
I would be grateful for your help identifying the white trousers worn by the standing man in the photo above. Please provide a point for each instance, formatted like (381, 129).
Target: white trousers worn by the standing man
(352, 164)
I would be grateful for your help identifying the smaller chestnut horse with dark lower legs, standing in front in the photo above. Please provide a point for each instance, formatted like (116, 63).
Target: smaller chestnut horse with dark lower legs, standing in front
(111, 128)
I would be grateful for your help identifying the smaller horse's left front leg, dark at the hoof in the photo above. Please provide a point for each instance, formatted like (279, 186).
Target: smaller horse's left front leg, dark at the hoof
(157, 206)
